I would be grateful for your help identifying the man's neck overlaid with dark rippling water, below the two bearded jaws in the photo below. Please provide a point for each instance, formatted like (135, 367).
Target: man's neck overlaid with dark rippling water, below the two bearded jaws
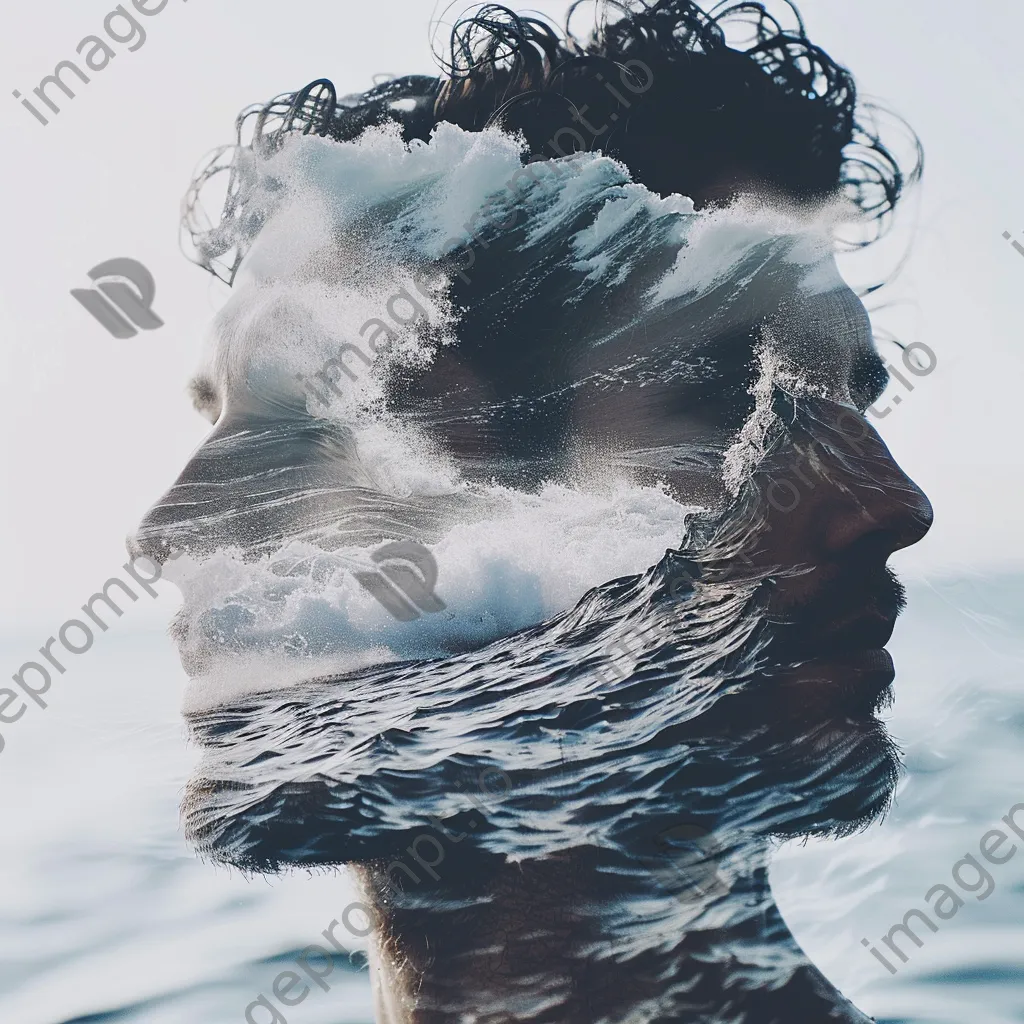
(586, 936)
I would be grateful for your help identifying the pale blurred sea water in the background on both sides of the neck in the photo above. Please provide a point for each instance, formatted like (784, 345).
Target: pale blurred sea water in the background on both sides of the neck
(109, 916)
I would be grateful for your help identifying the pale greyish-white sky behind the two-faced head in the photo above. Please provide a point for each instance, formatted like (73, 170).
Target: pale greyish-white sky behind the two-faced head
(97, 428)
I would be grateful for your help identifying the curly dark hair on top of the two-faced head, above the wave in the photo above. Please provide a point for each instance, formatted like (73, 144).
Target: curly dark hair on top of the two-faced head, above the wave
(658, 86)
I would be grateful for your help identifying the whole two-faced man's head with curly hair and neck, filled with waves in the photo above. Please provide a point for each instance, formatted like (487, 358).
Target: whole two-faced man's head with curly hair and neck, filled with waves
(651, 362)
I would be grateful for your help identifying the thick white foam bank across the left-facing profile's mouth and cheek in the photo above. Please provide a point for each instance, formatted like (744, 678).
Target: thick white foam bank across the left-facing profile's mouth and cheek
(303, 612)
